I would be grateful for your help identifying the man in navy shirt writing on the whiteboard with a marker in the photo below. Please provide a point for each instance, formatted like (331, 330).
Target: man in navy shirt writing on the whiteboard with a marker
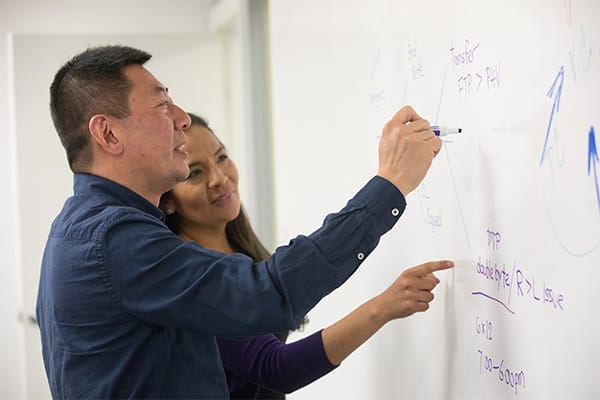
(129, 310)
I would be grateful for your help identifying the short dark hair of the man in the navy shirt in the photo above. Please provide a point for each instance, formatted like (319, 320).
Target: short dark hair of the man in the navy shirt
(90, 83)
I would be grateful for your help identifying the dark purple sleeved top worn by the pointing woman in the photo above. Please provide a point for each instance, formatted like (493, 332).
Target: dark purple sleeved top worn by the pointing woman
(265, 361)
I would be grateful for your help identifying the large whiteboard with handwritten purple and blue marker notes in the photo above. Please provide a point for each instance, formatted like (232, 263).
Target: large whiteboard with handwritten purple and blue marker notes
(514, 199)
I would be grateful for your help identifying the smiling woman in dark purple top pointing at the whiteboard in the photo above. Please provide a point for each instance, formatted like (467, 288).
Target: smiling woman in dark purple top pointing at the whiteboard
(206, 208)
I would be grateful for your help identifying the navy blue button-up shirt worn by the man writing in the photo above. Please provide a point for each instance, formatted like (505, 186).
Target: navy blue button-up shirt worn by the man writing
(129, 310)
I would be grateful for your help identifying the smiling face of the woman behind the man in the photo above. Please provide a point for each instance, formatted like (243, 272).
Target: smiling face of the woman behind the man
(209, 197)
